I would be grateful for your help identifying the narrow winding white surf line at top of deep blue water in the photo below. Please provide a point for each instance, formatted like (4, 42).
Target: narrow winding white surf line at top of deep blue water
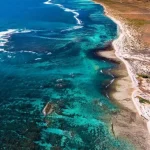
(76, 14)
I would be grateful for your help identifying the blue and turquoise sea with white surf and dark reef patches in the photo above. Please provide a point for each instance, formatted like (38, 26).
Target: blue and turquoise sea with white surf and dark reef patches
(47, 54)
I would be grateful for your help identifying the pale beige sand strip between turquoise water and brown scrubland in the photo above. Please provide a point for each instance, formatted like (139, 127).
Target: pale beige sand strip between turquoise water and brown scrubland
(141, 126)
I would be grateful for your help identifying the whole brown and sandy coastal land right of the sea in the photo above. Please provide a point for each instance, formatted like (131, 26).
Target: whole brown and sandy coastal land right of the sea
(131, 88)
